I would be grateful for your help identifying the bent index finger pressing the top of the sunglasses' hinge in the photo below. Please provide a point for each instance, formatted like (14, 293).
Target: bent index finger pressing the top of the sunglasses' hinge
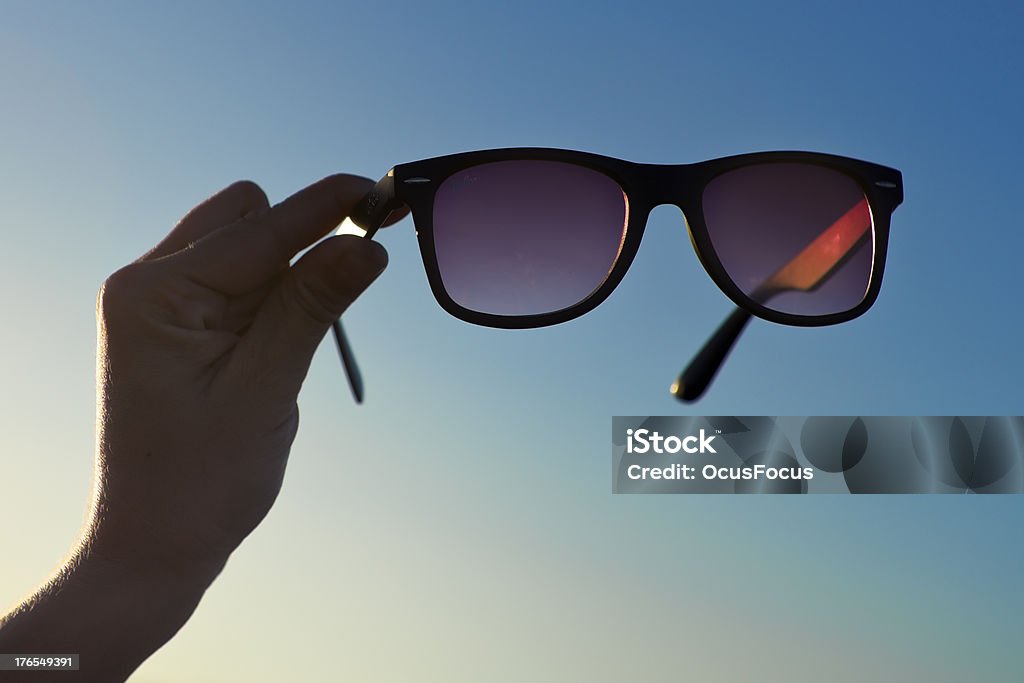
(246, 254)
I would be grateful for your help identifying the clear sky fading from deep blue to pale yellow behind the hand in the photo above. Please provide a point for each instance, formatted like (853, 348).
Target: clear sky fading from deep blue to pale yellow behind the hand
(460, 526)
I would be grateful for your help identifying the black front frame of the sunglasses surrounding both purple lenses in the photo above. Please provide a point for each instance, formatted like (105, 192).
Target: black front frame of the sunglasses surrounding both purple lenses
(646, 186)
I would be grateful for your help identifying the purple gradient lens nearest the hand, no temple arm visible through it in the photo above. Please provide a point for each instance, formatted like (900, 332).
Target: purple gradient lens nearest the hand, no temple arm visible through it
(525, 238)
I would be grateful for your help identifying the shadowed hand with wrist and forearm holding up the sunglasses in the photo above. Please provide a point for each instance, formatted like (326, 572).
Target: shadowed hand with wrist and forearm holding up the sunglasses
(203, 347)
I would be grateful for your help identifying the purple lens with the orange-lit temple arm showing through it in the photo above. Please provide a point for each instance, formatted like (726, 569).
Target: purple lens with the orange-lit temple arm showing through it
(796, 238)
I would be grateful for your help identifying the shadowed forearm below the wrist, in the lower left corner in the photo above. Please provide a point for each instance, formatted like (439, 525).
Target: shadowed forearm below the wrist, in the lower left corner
(113, 617)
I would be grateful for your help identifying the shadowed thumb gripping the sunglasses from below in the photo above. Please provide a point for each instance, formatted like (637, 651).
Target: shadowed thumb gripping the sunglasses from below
(281, 343)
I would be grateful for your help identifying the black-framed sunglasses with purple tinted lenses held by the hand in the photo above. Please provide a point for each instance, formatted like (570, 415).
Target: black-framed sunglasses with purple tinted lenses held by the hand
(528, 238)
